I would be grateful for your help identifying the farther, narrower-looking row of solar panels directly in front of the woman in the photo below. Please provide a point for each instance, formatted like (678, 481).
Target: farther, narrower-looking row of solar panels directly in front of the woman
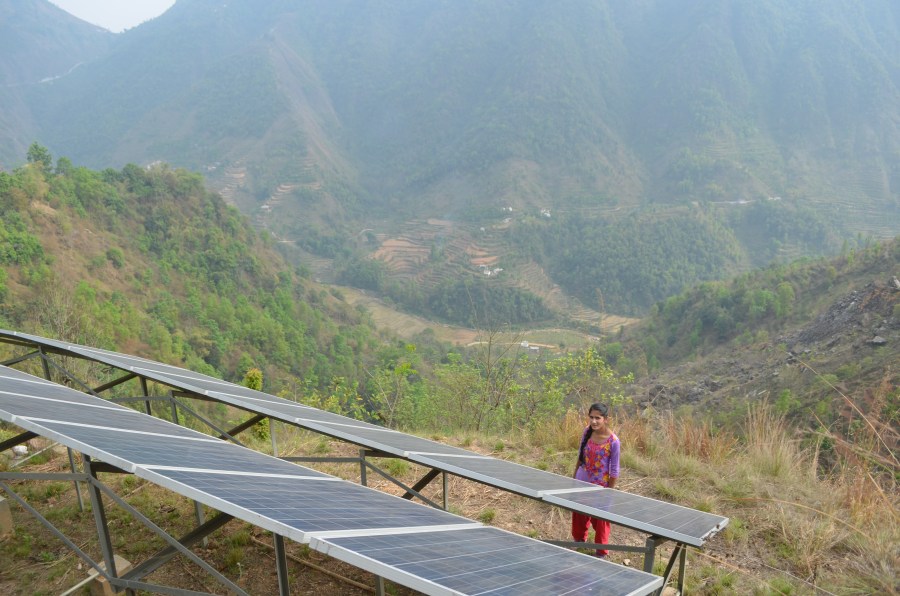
(655, 517)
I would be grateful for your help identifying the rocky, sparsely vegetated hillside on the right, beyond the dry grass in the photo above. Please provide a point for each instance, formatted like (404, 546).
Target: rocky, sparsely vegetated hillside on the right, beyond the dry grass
(815, 339)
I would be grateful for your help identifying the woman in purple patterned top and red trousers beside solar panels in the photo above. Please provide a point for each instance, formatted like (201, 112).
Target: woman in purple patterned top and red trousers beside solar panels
(598, 463)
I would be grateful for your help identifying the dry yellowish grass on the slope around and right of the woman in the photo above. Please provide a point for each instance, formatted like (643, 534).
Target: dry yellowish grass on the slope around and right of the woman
(794, 529)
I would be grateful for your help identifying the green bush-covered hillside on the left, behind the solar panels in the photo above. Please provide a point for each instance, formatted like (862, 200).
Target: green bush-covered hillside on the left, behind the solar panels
(149, 261)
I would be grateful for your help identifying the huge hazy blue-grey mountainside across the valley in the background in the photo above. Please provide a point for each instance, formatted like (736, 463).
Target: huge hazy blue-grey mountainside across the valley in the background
(771, 126)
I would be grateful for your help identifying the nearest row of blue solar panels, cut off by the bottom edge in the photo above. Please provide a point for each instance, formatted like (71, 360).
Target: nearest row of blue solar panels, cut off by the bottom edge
(424, 548)
